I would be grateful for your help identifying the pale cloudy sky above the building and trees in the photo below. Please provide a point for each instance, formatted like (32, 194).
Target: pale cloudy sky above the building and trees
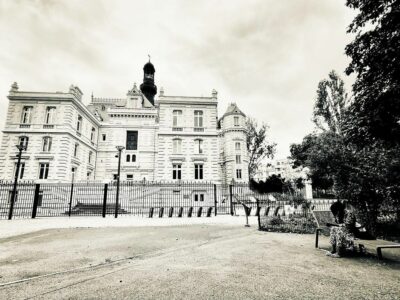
(267, 56)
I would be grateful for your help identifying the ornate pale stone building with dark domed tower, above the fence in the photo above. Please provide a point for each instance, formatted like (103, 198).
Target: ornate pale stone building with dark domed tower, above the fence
(165, 138)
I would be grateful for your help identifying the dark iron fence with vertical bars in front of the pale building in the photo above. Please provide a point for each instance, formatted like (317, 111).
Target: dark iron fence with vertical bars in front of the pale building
(139, 198)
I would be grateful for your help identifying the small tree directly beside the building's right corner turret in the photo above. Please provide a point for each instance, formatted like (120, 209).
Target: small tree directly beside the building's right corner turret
(257, 145)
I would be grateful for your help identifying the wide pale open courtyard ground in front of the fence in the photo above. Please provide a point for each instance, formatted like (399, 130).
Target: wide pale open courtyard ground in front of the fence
(218, 258)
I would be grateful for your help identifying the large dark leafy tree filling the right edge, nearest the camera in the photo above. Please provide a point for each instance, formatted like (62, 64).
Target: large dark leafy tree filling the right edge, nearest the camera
(372, 128)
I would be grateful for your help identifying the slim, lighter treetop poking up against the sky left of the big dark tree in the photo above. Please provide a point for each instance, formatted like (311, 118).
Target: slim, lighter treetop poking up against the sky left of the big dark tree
(331, 103)
